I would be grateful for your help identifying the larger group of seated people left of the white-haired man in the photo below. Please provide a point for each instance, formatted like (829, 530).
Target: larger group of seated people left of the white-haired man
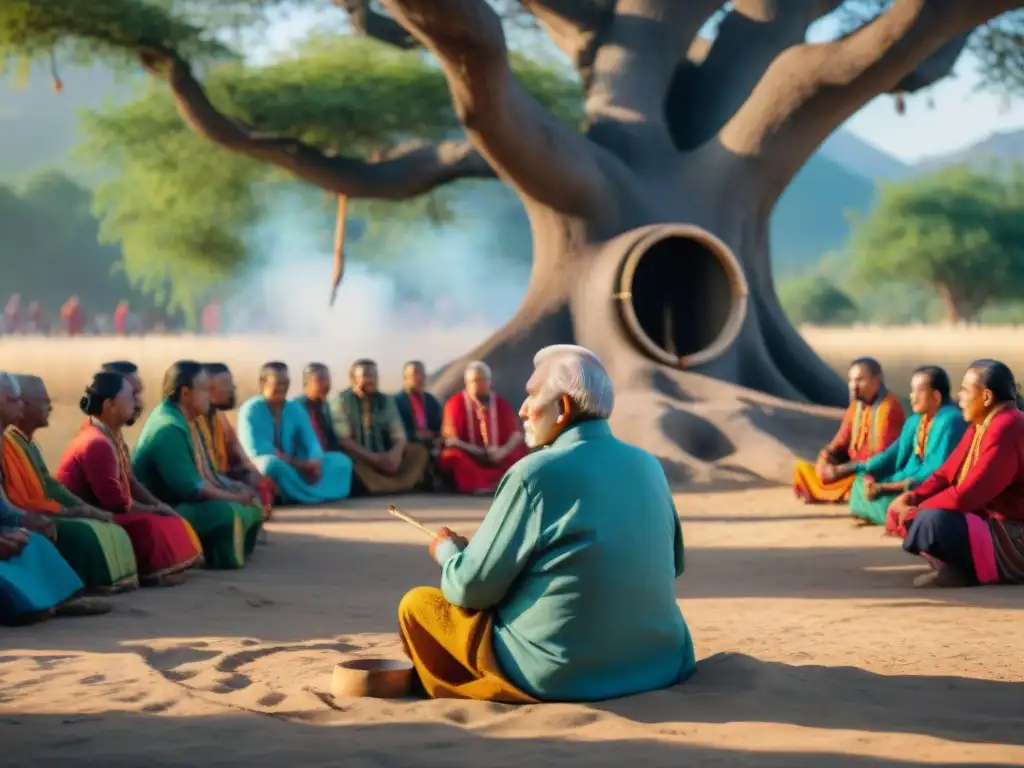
(196, 491)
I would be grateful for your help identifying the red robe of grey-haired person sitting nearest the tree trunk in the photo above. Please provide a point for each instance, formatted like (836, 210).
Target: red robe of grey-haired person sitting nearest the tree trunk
(481, 425)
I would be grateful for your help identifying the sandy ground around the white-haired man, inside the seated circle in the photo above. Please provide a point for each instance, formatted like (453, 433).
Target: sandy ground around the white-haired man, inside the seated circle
(814, 652)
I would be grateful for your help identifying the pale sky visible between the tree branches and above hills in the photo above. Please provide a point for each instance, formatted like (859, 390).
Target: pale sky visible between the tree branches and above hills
(951, 116)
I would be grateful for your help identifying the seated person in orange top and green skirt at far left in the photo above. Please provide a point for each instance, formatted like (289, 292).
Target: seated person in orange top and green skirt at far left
(94, 545)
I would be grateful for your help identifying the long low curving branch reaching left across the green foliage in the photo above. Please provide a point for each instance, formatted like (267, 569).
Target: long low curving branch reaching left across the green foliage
(406, 173)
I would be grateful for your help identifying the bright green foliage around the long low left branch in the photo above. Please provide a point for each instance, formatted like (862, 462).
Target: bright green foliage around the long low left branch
(183, 209)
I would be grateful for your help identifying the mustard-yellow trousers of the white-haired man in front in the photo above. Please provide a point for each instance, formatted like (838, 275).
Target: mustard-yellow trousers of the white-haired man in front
(453, 650)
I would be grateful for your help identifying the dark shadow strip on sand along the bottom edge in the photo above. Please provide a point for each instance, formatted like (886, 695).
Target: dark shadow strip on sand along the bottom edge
(129, 741)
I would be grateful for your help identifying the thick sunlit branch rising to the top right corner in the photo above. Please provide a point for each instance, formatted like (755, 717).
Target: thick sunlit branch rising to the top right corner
(812, 90)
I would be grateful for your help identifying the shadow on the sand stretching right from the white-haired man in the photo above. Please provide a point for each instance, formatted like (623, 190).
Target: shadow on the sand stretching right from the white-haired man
(732, 688)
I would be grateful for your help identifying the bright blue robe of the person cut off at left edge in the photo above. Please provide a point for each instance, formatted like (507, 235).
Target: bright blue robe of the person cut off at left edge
(37, 579)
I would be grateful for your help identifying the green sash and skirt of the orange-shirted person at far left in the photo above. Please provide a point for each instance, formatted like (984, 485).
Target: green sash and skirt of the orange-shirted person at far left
(100, 552)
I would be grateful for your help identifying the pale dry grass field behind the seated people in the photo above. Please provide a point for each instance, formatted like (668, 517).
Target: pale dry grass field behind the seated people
(67, 364)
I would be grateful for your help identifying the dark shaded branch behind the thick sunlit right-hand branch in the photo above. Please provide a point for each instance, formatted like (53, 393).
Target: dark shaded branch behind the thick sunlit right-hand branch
(719, 76)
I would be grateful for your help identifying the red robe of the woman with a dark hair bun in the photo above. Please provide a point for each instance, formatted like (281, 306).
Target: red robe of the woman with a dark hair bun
(97, 468)
